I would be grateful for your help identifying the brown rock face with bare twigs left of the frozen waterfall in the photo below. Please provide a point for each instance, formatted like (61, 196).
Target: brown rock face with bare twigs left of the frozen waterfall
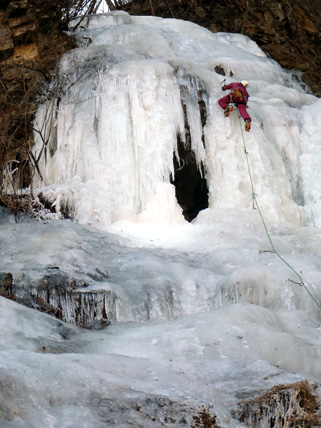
(31, 42)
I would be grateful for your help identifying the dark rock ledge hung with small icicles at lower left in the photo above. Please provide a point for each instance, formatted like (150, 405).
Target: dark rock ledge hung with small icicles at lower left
(62, 297)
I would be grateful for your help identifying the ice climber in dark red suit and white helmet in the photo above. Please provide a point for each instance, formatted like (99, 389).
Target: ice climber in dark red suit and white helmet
(238, 96)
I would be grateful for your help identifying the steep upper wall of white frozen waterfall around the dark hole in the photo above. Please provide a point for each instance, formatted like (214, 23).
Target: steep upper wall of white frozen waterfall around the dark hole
(107, 139)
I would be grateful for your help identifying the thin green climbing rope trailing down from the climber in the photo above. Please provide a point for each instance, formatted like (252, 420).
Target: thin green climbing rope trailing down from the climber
(255, 204)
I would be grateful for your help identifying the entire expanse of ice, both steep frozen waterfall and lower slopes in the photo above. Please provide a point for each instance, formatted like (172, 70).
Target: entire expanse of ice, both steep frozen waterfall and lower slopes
(201, 317)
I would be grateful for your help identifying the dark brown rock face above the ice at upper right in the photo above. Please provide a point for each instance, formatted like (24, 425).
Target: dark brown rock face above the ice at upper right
(289, 32)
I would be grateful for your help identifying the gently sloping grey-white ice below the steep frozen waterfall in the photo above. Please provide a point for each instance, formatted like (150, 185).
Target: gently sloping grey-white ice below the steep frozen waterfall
(225, 324)
